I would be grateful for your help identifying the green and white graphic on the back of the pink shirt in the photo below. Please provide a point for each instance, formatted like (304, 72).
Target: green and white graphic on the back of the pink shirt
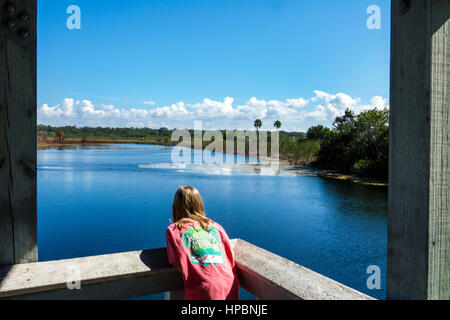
(204, 246)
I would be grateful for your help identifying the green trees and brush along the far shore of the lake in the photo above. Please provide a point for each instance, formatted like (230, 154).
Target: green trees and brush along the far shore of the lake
(355, 147)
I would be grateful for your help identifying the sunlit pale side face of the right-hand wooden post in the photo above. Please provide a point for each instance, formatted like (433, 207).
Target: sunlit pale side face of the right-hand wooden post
(439, 228)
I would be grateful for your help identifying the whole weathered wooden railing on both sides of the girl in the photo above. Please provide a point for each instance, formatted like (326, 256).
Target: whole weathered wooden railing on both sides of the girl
(141, 273)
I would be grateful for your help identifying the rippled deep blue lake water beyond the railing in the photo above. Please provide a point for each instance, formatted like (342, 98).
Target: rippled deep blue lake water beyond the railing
(104, 199)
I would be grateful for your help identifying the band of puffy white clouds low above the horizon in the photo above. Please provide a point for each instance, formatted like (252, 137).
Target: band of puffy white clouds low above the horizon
(295, 114)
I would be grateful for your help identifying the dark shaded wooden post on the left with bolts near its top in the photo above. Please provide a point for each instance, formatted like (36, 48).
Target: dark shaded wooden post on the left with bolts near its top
(18, 235)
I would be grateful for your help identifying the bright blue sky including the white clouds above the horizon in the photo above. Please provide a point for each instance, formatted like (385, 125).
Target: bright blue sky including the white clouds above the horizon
(168, 63)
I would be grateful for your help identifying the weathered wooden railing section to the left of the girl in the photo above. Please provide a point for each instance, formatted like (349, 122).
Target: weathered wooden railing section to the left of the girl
(114, 276)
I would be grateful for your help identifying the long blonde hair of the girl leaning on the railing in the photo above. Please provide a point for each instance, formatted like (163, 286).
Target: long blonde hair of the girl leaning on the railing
(187, 207)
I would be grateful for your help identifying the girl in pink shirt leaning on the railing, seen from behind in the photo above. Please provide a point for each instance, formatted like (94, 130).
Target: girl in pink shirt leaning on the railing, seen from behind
(200, 249)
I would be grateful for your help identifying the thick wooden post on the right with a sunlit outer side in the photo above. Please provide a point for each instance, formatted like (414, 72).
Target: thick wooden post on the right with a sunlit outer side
(419, 193)
